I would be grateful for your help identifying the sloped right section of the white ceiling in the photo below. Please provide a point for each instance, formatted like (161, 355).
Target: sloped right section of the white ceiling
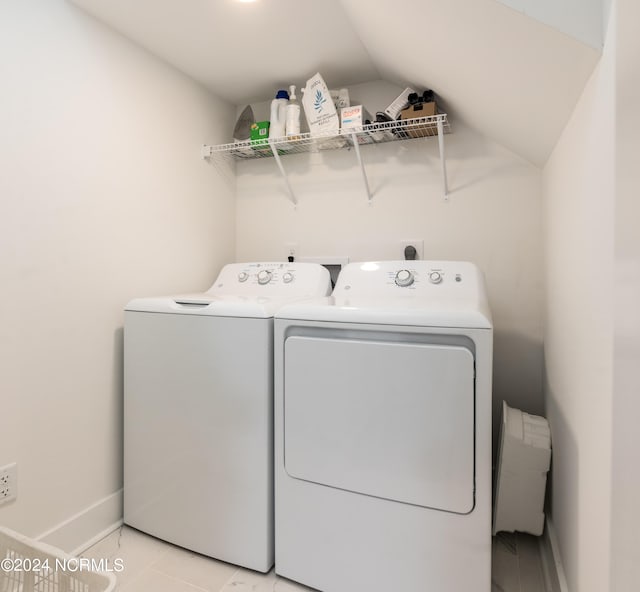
(507, 75)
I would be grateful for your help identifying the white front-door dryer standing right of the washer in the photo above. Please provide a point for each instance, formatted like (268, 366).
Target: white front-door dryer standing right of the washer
(383, 431)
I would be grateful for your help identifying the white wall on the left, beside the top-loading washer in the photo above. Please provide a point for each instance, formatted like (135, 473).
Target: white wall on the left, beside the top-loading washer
(103, 197)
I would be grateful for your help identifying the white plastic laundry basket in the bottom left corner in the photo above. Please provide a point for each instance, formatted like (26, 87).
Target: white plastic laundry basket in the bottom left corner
(29, 566)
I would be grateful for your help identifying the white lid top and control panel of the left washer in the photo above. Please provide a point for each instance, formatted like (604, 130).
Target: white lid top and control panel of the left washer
(255, 290)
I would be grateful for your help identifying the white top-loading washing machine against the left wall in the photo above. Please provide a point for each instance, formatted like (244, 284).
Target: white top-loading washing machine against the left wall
(198, 411)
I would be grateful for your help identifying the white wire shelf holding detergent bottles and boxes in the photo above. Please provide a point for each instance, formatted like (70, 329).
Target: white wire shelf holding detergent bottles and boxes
(374, 133)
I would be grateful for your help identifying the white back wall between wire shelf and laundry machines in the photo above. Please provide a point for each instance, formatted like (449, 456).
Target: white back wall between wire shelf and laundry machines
(492, 217)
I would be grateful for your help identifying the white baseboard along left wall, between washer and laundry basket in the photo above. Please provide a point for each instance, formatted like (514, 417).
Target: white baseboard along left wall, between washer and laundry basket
(78, 533)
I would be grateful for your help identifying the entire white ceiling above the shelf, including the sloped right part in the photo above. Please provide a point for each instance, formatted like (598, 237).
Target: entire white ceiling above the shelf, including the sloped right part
(510, 77)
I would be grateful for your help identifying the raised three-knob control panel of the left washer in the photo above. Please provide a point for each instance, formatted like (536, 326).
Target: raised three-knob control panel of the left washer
(272, 280)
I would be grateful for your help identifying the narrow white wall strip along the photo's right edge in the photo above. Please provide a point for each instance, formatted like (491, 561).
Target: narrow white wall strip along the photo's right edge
(625, 522)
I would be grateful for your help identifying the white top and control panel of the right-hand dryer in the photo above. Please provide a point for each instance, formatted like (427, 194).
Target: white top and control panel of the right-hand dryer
(416, 293)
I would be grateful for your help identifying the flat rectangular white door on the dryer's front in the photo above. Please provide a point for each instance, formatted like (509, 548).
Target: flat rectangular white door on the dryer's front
(388, 419)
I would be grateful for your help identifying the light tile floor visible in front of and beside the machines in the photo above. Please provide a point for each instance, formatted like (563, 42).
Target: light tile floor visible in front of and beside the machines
(151, 565)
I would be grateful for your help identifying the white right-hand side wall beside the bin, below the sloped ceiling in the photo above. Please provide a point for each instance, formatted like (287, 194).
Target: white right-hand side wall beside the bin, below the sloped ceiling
(579, 237)
